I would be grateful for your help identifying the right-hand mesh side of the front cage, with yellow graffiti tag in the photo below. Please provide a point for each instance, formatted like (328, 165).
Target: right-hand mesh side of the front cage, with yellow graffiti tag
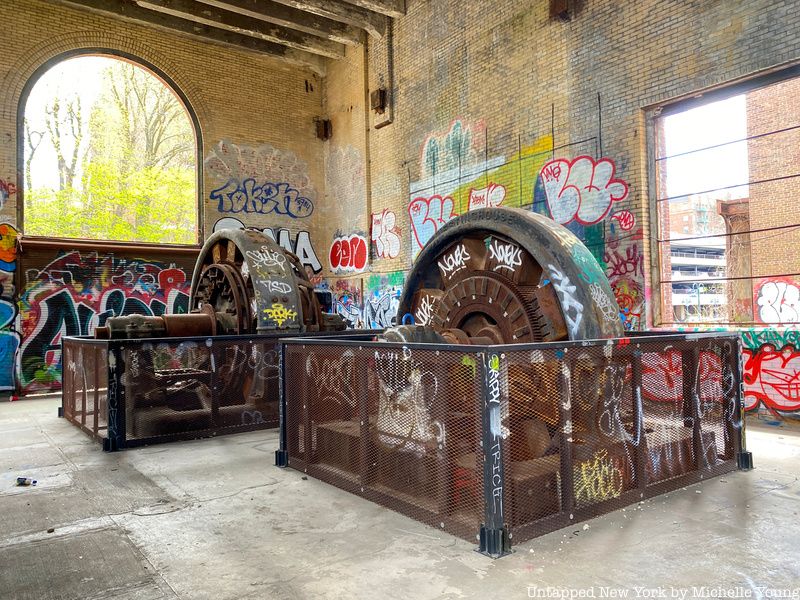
(592, 428)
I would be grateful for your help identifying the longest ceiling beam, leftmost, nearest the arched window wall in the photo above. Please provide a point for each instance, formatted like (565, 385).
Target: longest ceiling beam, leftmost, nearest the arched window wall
(132, 12)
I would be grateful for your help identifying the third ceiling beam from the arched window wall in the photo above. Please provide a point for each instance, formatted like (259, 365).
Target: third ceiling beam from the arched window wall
(273, 12)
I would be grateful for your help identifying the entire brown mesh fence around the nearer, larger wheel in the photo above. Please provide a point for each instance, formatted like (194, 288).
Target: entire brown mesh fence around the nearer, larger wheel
(505, 443)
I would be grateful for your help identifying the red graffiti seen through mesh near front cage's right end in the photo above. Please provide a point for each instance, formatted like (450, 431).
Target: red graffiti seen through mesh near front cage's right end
(662, 376)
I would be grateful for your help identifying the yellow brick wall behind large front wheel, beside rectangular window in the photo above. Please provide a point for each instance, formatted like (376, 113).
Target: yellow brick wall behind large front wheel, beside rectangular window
(521, 83)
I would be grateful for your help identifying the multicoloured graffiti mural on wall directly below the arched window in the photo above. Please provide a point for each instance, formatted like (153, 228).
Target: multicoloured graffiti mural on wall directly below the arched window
(77, 292)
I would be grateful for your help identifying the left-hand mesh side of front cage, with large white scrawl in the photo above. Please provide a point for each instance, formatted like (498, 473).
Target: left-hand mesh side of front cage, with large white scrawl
(399, 426)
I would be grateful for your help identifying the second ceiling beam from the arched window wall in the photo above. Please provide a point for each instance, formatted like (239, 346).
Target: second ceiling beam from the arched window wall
(214, 17)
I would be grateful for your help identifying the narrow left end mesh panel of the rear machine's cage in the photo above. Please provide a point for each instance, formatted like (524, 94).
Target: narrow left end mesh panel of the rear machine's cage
(85, 386)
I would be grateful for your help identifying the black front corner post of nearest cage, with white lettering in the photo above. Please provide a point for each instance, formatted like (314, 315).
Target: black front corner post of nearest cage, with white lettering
(495, 540)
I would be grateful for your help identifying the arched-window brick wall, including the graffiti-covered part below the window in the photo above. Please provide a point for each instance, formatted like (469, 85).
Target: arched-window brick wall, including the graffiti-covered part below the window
(255, 117)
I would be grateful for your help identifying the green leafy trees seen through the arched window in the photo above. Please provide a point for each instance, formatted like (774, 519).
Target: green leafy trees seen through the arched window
(137, 178)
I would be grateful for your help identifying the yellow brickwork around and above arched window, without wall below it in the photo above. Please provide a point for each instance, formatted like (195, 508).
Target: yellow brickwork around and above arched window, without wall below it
(240, 97)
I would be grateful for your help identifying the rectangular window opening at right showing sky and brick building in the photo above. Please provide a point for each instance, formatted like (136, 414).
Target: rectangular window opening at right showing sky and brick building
(727, 174)
